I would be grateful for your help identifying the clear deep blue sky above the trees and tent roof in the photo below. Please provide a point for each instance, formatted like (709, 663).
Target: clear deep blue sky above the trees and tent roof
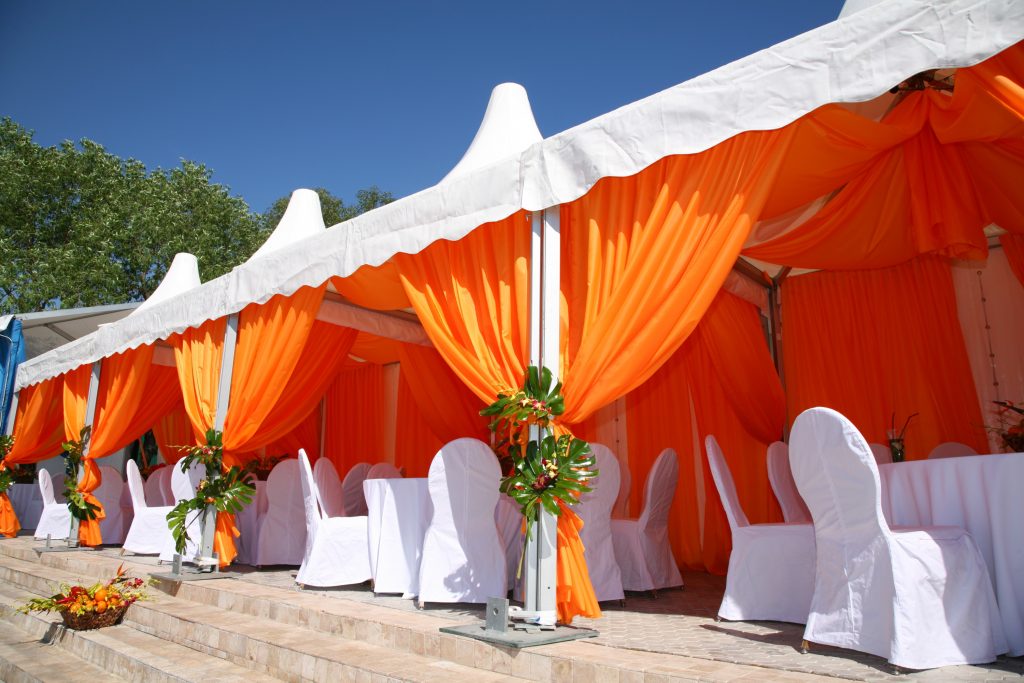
(275, 97)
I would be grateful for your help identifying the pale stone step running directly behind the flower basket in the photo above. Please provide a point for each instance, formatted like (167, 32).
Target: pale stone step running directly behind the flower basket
(287, 652)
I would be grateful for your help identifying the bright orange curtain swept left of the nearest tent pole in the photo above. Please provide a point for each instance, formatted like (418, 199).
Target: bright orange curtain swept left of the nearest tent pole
(473, 298)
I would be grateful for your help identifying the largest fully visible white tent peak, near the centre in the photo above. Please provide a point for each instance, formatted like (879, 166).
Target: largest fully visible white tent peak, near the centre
(508, 129)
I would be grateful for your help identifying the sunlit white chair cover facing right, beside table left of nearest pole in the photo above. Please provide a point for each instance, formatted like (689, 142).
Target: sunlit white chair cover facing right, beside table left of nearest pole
(336, 548)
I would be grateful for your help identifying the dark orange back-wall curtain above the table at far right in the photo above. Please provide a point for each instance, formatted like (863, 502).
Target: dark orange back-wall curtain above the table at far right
(873, 344)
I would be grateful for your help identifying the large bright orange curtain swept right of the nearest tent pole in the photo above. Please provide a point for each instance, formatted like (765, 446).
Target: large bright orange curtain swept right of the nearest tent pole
(645, 257)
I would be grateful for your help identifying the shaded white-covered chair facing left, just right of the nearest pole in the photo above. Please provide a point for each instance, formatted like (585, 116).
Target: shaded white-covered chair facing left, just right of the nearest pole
(643, 545)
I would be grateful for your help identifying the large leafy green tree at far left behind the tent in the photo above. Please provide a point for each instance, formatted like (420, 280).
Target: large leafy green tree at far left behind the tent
(80, 227)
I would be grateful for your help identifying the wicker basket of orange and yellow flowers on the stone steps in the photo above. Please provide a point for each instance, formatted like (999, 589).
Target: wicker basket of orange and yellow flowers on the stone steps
(93, 607)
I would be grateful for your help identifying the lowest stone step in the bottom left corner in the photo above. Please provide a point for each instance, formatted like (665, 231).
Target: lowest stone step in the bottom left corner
(24, 659)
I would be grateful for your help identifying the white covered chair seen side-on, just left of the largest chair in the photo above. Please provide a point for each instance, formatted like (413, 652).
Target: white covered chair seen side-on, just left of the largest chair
(772, 569)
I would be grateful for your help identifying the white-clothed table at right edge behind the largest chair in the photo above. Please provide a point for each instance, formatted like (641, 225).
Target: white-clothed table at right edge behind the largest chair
(983, 495)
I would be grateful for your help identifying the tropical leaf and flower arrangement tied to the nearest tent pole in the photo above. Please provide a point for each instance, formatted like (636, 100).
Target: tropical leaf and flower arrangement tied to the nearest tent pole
(549, 469)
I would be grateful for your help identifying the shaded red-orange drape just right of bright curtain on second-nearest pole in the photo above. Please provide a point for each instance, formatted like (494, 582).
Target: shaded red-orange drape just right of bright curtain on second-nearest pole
(325, 354)
